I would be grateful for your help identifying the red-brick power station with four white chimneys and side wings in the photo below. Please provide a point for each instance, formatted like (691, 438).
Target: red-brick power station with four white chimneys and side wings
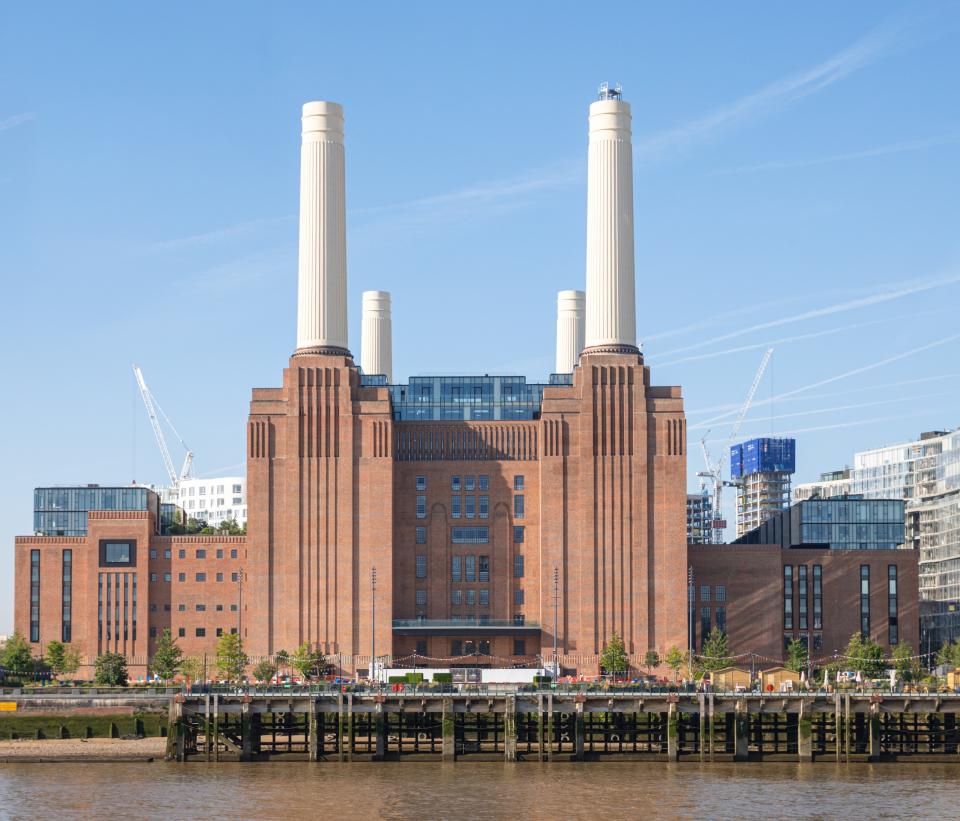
(448, 521)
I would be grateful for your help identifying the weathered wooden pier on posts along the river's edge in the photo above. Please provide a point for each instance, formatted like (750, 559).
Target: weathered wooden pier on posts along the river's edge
(552, 726)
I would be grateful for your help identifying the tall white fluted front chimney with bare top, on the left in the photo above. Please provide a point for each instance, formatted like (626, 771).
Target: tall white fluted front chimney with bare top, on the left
(322, 291)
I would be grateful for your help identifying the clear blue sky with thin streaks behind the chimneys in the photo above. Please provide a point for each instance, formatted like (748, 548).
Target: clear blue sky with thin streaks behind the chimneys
(796, 185)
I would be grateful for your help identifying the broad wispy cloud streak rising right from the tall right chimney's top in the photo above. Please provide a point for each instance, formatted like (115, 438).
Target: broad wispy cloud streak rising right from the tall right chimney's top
(856, 56)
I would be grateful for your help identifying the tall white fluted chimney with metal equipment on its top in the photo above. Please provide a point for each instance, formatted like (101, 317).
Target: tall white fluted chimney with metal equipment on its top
(611, 309)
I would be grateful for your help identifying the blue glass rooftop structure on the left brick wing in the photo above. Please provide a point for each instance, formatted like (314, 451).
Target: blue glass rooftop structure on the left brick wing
(62, 511)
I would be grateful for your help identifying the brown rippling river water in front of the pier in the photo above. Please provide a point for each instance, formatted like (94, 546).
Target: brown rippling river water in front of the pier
(467, 791)
